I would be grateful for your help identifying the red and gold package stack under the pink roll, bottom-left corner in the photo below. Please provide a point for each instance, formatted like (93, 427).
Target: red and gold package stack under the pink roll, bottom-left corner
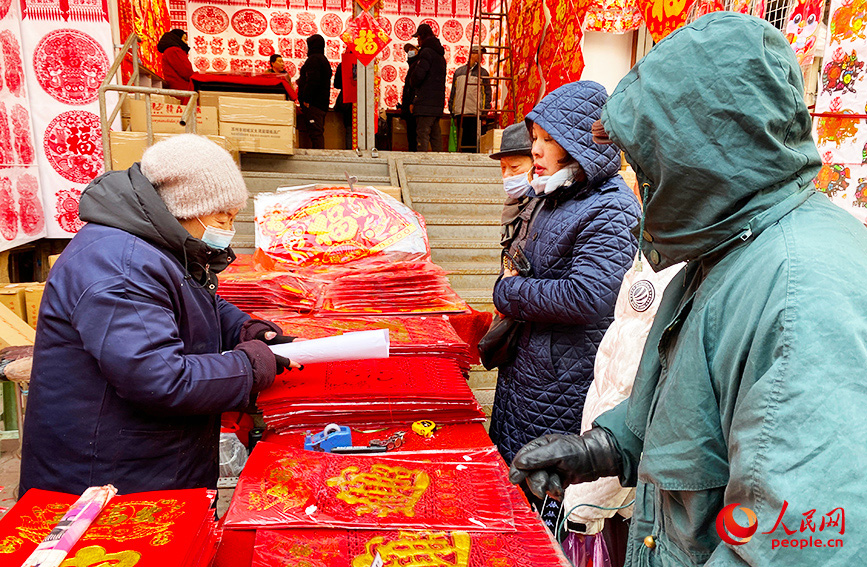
(146, 529)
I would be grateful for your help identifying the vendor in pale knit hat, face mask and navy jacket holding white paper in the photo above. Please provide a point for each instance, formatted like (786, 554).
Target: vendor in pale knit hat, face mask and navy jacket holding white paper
(136, 355)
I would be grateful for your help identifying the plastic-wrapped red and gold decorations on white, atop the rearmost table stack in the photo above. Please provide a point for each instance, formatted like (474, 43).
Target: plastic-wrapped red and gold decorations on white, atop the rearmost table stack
(338, 225)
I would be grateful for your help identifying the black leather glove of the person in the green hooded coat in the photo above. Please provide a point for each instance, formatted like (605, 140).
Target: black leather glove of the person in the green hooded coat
(551, 463)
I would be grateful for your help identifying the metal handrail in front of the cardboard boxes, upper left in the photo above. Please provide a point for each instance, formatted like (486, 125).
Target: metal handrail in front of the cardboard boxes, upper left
(188, 119)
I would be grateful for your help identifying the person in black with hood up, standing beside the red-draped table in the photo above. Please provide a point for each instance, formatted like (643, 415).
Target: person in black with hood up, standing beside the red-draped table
(314, 91)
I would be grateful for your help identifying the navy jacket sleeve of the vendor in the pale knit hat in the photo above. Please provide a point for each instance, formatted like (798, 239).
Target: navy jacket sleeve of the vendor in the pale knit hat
(131, 330)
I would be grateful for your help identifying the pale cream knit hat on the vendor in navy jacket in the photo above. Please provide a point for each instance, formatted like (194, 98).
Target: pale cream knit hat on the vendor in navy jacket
(194, 176)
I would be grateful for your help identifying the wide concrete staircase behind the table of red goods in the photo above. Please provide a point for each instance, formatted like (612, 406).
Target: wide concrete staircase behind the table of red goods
(459, 195)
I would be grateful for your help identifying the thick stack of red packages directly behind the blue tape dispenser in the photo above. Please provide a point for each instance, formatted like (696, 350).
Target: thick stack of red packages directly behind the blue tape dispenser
(371, 392)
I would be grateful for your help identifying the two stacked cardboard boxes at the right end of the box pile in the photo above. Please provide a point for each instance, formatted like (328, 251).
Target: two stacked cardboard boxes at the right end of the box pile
(258, 125)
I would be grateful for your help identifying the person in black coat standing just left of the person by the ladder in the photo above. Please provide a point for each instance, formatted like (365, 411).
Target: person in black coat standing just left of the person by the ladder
(428, 79)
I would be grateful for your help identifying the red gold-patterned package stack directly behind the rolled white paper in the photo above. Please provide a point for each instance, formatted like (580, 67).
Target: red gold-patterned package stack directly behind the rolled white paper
(408, 336)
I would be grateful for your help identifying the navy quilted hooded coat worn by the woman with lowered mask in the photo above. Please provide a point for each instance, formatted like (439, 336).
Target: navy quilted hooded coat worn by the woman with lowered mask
(580, 246)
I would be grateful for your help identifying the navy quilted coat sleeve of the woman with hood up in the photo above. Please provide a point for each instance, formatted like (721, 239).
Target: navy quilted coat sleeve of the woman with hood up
(602, 254)
